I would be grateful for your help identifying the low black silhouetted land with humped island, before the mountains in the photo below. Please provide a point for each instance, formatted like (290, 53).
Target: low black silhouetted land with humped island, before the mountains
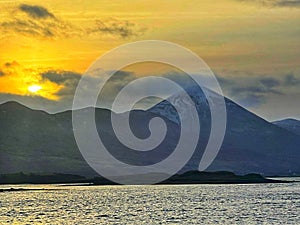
(191, 177)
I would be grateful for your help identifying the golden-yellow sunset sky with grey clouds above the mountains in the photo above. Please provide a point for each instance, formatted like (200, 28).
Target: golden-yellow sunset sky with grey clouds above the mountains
(253, 47)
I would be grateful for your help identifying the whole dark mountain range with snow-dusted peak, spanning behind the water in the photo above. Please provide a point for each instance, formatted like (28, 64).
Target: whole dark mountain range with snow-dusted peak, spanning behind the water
(35, 141)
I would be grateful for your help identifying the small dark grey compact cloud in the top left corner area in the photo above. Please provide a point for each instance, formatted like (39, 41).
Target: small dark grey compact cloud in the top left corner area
(35, 11)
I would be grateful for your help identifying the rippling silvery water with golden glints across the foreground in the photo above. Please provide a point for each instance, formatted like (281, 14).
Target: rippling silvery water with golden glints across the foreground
(161, 204)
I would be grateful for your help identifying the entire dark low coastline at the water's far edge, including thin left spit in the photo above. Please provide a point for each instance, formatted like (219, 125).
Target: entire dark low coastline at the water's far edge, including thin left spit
(190, 177)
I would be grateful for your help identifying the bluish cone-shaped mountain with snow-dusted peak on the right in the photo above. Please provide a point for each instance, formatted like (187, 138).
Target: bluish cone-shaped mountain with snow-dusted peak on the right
(251, 144)
